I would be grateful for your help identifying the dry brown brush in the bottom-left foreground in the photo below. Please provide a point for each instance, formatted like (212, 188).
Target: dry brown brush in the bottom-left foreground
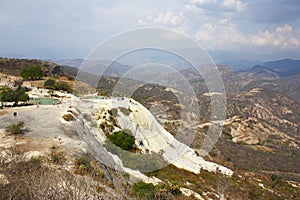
(32, 180)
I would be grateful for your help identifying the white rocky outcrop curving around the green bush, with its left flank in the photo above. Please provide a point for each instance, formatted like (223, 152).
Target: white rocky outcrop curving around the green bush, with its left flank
(150, 136)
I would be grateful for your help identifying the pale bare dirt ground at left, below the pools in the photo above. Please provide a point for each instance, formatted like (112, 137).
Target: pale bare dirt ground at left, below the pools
(45, 129)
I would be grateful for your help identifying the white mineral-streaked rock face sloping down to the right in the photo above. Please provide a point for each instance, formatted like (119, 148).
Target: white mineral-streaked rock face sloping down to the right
(150, 136)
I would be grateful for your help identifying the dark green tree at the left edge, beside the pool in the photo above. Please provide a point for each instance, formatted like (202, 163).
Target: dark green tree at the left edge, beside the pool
(10, 95)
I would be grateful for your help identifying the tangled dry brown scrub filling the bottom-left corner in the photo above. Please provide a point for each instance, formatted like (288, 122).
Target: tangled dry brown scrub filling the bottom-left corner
(40, 179)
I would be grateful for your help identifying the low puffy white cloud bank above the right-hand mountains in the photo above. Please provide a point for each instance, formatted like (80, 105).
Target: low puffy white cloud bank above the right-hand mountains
(225, 35)
